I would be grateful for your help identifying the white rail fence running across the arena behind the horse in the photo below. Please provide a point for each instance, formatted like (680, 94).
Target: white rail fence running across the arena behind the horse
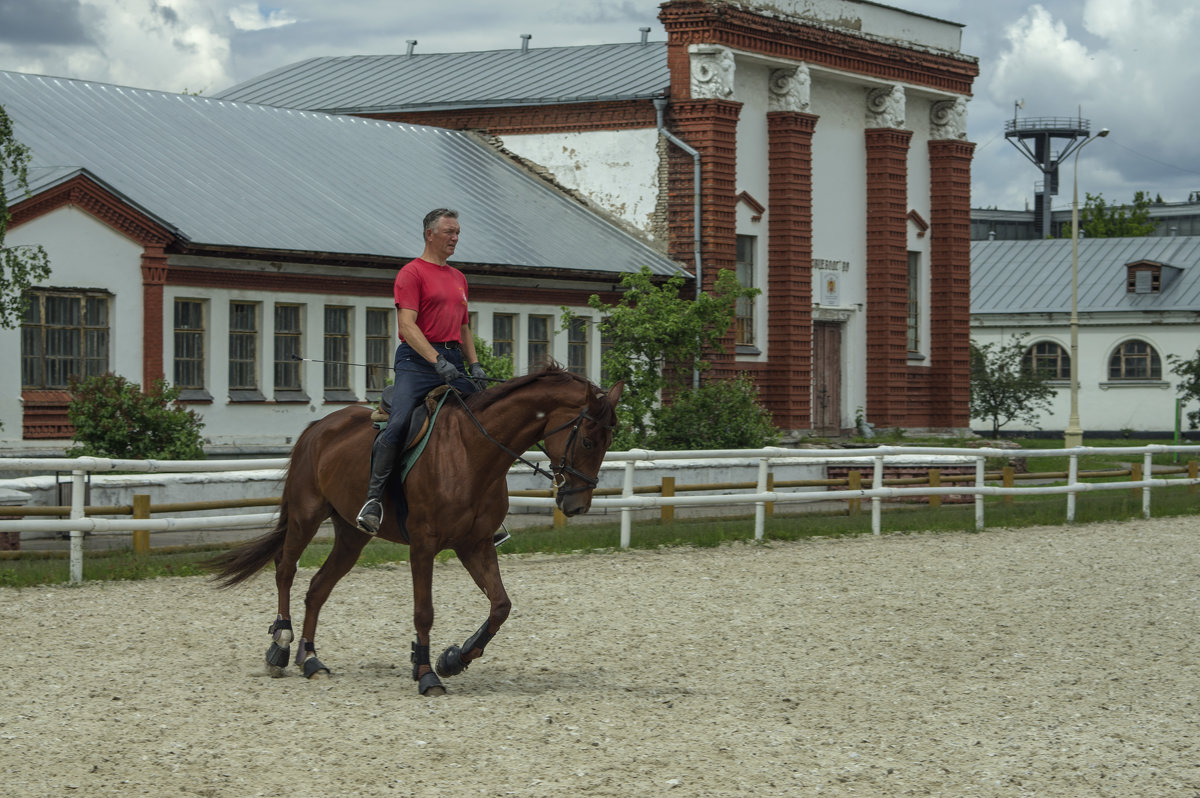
(79, 525)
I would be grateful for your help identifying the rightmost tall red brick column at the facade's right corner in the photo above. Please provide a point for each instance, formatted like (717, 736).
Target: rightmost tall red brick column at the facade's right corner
(950, 165)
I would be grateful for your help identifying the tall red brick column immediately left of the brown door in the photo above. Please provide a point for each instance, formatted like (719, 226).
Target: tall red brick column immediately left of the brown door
(788, 381)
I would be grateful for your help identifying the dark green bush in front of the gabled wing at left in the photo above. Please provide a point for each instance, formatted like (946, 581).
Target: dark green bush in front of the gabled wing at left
(115, 418)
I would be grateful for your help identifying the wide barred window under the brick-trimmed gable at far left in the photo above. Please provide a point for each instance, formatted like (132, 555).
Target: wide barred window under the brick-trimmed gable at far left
(64, 335)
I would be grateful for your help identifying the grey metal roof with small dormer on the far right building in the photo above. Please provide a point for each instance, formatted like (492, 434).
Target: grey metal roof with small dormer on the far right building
(1035, 277)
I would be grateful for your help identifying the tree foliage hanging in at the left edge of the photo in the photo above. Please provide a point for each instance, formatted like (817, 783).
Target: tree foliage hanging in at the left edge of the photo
(23, 266)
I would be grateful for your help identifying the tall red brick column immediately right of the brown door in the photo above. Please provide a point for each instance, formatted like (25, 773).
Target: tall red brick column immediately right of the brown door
(887, 274)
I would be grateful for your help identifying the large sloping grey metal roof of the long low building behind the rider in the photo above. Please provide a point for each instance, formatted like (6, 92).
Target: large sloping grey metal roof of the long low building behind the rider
(253, 177)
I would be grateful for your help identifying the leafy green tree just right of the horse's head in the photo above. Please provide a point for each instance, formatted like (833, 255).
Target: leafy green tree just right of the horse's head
(658, 337)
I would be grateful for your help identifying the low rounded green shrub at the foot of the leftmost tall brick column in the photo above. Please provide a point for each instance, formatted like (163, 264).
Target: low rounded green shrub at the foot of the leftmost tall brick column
(722, 415)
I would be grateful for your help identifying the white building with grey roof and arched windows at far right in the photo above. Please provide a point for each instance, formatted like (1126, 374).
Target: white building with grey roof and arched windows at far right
(1139, 304)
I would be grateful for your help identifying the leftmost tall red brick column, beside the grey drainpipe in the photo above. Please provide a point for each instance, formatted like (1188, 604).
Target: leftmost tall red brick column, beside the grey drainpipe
(711, 128)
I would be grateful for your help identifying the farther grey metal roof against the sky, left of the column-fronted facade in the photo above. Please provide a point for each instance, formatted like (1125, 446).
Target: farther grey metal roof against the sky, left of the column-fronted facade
(377, 85)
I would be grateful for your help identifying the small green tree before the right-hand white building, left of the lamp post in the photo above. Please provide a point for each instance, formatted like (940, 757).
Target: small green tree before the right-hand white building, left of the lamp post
(1003, 388)
